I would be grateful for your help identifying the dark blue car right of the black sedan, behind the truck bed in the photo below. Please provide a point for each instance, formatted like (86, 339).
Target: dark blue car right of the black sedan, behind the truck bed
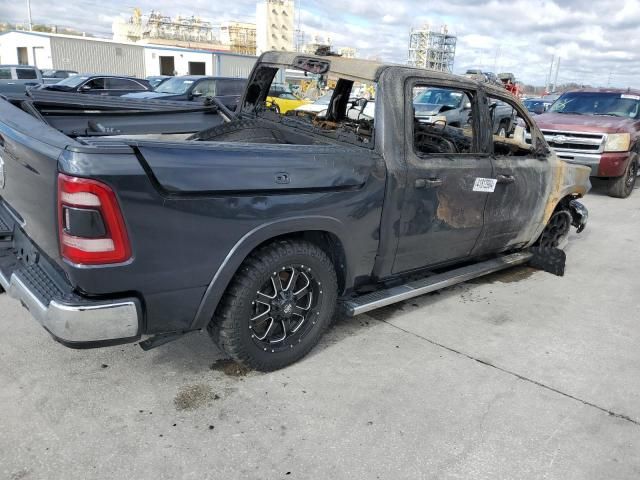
(197, 88)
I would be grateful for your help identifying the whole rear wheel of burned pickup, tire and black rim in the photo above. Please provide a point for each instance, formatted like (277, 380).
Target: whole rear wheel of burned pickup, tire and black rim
(278, 305)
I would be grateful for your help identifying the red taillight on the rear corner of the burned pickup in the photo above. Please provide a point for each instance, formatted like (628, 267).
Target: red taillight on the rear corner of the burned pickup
(92, 230)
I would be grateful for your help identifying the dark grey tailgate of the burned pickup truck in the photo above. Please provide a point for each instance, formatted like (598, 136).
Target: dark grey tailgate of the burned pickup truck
(29, 152)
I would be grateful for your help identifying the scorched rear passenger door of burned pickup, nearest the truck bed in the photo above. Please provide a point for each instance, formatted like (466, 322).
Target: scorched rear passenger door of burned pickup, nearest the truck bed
(443, 207)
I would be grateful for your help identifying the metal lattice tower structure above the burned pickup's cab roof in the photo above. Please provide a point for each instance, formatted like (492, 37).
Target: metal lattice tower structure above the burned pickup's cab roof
(431, 49)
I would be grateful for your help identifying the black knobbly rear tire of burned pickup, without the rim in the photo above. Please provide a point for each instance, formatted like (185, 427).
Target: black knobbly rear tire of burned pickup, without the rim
(230, 326)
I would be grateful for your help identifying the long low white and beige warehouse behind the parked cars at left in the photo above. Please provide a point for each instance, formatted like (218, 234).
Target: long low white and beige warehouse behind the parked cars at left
(83, 54)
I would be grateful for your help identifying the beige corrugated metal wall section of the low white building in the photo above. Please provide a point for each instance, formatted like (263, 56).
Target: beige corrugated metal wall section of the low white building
(95, 56)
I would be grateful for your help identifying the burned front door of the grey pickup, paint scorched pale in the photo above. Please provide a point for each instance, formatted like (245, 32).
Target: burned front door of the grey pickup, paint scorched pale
(515, 208)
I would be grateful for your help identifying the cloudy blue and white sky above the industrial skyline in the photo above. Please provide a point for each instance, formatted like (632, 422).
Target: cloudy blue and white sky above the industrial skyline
(596, 40)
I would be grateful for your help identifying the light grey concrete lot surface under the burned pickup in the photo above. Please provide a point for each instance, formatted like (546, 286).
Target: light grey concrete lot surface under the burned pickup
(521, 375)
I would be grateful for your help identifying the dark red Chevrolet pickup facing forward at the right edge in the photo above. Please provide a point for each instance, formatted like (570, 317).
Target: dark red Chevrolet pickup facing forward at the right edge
(598, 128)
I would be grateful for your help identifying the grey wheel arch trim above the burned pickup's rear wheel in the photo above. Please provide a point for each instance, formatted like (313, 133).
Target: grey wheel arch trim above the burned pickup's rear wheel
(327, 232)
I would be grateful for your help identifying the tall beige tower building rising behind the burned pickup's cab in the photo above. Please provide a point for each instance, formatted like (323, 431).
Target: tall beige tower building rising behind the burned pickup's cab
(275, 28)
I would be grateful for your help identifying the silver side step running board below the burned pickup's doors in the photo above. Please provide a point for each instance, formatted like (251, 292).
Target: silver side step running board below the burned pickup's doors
(382, 298)
